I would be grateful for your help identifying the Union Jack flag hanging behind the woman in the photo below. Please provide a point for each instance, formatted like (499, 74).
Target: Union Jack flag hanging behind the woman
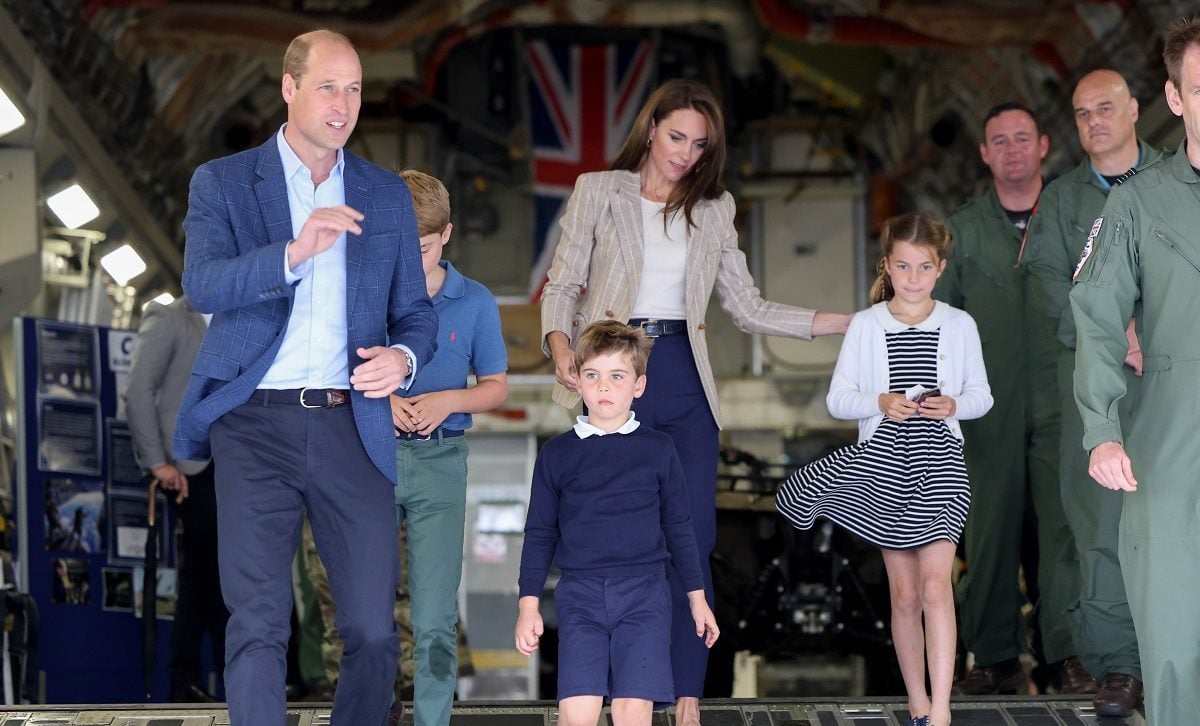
(583, 103)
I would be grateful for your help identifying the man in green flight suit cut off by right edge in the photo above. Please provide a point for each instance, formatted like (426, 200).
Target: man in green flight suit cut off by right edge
(1143, 260)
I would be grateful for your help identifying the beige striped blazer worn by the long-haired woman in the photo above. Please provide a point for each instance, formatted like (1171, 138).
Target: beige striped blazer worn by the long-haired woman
(601, 251)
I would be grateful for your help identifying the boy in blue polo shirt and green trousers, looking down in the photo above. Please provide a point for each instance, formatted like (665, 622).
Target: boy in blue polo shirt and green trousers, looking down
(431, 449)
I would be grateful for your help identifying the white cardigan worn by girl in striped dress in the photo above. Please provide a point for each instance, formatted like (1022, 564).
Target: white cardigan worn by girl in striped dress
(862, 370)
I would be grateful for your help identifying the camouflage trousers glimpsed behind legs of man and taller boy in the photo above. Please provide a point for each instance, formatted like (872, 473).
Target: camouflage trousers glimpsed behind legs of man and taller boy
(332, 646)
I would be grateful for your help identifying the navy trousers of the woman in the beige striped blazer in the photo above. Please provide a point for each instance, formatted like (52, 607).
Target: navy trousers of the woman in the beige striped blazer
(675, 404)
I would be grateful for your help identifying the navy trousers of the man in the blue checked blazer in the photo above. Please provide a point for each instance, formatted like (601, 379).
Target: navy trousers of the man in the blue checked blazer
(274, 461)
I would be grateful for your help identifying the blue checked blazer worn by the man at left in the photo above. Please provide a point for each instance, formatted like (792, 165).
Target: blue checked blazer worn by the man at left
(237, 229)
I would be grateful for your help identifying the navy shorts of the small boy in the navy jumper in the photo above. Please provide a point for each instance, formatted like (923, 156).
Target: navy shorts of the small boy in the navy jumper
(615, 638)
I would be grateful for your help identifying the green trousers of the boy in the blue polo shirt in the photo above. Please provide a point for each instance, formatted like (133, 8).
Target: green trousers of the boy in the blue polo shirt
(431, 499)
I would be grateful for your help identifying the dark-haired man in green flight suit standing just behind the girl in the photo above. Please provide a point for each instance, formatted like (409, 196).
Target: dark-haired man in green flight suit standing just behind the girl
(1016, 447)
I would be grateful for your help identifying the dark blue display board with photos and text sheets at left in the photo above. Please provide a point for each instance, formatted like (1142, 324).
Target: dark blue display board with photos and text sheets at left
(82, 518)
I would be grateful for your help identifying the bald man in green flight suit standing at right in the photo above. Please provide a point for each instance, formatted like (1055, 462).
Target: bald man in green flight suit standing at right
(1106, 115)
